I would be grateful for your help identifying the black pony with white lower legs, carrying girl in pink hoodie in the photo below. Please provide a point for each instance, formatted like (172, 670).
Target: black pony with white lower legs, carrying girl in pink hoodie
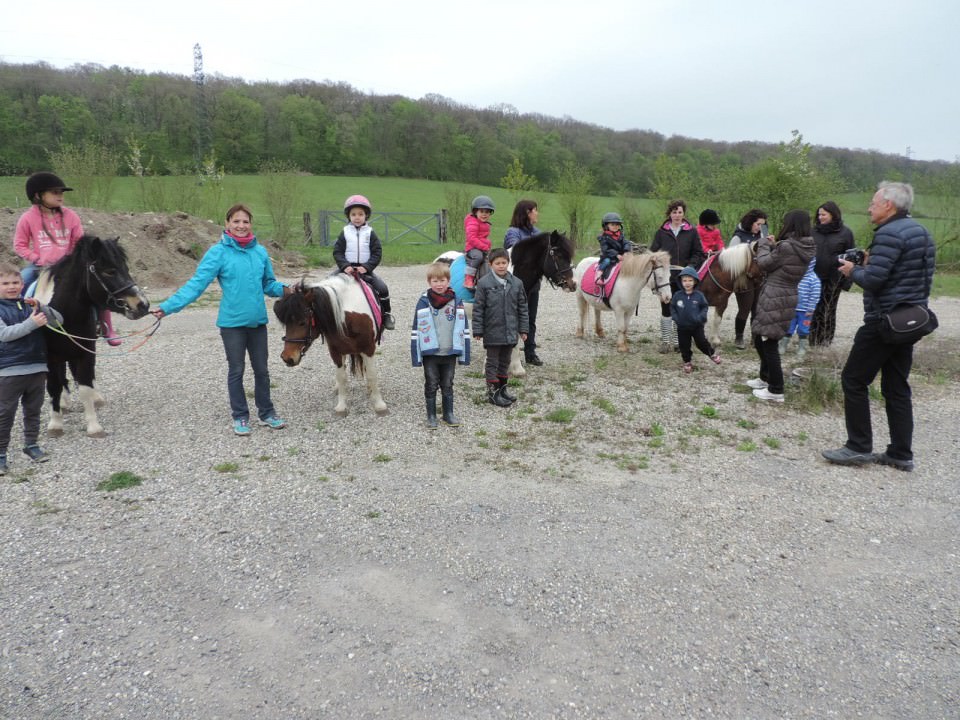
(92, 278)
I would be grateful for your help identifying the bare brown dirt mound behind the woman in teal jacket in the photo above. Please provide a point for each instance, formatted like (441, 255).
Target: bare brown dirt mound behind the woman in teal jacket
(163, 248)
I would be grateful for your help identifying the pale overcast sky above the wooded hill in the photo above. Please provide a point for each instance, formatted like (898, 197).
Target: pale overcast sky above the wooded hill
(879, 75)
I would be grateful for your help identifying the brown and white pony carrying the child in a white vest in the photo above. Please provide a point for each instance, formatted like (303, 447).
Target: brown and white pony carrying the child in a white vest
(335, 310)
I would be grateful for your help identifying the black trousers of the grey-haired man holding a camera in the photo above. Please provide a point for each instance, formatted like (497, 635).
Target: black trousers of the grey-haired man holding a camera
(869, 356)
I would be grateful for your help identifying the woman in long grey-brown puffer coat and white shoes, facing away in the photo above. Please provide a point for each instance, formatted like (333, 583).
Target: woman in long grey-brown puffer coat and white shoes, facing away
(784, 260)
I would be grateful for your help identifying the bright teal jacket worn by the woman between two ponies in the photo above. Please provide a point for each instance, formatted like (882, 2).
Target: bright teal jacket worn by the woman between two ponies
(245, 275)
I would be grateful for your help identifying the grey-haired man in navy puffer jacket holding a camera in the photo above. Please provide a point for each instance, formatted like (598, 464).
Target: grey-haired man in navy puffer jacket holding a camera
(898, 269)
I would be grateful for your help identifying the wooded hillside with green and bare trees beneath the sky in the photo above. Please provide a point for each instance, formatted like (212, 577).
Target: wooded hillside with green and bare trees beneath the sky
(172, 125)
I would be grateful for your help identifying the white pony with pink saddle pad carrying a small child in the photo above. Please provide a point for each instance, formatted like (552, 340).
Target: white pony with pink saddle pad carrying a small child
(637, 271)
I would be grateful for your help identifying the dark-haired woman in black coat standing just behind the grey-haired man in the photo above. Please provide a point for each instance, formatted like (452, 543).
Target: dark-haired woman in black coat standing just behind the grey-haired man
(832, 239)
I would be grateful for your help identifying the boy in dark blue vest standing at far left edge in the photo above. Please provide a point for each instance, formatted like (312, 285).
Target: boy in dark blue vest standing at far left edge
(23, 363)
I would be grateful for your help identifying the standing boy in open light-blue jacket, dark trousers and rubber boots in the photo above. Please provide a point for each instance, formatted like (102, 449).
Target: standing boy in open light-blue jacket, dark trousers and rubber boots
(439, 340)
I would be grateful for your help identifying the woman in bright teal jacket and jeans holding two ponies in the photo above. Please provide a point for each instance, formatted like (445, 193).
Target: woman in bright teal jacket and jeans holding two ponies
(243, 269)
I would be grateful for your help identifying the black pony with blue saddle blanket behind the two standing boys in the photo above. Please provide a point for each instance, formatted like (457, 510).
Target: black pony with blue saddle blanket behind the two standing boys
(546, 255)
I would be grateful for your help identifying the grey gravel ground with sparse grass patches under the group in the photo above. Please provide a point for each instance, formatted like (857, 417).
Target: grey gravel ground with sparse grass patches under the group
(642, 560)
